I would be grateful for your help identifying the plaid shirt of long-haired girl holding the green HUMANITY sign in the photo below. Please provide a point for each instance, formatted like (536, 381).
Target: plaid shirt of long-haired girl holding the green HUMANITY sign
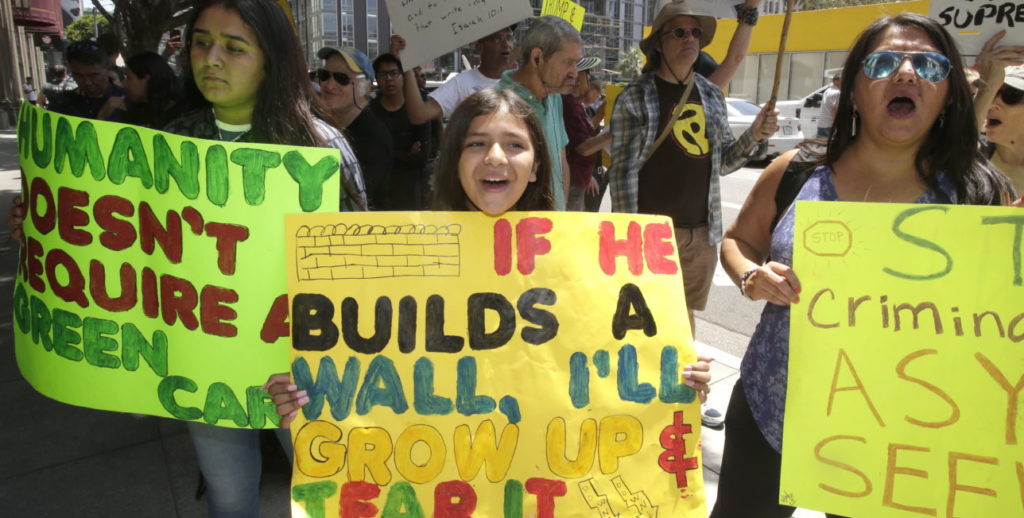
(200, 124)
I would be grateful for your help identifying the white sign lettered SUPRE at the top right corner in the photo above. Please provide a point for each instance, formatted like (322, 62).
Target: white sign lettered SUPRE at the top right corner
(972, 23)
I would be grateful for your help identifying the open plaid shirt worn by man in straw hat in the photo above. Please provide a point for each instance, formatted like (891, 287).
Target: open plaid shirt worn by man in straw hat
(634, 128)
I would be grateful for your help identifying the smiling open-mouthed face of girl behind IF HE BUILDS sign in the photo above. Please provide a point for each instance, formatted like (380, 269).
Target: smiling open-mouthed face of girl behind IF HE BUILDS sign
(497, 162)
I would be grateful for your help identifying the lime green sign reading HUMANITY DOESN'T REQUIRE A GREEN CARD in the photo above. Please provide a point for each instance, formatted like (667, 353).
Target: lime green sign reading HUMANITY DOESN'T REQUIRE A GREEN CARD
(152, 279)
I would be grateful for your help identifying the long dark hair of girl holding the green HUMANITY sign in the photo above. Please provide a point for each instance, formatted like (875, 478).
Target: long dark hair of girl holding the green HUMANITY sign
(285, 103)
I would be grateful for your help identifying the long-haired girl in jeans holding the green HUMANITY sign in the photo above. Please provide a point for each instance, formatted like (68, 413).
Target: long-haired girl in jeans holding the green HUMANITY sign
(250, 84)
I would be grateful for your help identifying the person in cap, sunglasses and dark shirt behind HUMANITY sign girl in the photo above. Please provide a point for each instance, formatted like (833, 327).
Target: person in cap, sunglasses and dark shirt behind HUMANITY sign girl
(346, 81)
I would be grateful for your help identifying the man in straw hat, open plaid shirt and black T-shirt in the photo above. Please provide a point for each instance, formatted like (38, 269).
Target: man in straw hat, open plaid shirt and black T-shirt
(673, 169)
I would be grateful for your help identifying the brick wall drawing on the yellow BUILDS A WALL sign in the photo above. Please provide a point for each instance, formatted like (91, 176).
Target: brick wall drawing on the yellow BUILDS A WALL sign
(336, 252)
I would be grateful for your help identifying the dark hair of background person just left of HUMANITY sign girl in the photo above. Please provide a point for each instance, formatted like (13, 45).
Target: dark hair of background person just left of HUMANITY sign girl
(162, 92)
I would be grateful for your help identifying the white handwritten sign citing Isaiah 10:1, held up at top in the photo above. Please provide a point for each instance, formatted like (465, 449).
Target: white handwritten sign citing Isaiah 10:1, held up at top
(433, 28)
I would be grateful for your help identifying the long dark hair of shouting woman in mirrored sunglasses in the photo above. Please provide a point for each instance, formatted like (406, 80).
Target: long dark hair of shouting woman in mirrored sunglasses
(951, 146)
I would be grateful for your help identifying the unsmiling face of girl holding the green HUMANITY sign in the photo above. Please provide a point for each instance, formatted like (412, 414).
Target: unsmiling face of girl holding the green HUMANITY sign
(228, 63)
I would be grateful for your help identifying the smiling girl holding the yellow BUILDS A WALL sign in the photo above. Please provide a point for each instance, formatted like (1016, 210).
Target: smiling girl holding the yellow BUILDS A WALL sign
(494, 159)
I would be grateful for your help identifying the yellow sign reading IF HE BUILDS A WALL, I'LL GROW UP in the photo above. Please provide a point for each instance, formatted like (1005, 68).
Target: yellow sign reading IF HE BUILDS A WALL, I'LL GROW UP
(460, 365)
